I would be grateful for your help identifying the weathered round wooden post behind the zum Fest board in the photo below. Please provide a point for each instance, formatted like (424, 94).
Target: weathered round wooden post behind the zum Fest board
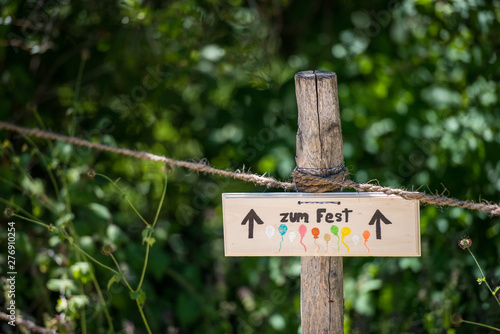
(319, 145)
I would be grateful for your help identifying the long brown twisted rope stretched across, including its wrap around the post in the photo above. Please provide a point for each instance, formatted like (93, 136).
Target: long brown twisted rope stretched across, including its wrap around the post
(301, 177)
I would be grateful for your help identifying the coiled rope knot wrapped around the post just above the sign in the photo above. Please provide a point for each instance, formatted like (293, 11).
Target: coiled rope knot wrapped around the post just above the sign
(319, 180)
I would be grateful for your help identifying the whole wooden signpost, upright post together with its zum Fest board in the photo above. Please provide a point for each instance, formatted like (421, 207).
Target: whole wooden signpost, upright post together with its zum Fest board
(321, 228)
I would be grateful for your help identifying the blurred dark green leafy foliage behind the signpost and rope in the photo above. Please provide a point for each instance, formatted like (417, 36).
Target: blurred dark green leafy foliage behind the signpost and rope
(192, 79)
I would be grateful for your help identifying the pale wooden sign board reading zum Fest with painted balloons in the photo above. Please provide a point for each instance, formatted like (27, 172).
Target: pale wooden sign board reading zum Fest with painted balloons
(328, 224)
